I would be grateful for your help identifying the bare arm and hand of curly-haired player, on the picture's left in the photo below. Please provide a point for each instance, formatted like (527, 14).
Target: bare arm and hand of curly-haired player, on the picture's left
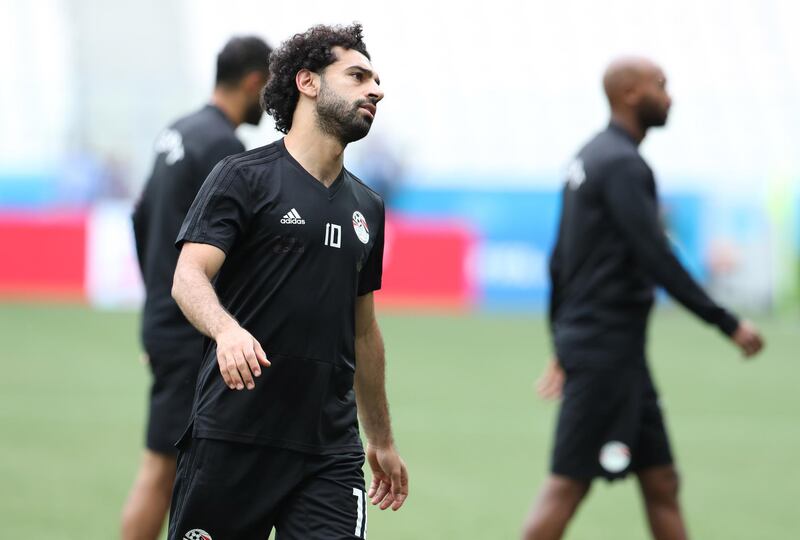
(239, 354)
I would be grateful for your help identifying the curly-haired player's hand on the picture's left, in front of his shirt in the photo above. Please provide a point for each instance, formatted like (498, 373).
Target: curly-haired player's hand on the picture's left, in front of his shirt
(239, 356)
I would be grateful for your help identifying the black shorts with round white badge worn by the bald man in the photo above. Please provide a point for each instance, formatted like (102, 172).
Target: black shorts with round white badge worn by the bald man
(610, 423)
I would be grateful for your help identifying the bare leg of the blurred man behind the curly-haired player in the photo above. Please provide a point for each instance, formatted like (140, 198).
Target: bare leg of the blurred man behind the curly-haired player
(149, 499)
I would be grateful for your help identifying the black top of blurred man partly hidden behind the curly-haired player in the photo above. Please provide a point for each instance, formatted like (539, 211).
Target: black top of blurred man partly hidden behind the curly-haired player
(186, 153)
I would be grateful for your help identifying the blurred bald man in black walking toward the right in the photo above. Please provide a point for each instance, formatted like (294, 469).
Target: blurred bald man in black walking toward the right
(610, 254)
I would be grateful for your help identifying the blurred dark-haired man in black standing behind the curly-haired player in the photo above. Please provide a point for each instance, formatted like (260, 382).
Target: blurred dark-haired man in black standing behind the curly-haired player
(186, 153)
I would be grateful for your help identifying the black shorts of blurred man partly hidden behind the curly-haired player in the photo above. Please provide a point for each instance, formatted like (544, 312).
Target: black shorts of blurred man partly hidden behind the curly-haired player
(171, 396)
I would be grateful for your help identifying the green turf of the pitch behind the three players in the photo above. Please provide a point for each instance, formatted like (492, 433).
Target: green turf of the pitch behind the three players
(72, 404)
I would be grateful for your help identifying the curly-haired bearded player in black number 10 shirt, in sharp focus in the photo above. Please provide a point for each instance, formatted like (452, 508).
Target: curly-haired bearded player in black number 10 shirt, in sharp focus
(280, 254)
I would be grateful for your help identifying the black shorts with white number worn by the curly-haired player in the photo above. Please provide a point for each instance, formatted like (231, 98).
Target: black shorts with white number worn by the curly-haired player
(236, 491)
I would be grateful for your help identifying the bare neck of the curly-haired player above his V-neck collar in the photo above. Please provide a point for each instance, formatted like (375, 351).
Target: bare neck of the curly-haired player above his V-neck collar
(320, 154)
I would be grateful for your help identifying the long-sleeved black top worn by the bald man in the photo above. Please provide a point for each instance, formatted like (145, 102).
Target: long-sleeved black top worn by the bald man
(611, 251)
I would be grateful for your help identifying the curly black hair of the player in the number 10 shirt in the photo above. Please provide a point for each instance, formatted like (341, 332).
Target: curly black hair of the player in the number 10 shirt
(310, 50)
